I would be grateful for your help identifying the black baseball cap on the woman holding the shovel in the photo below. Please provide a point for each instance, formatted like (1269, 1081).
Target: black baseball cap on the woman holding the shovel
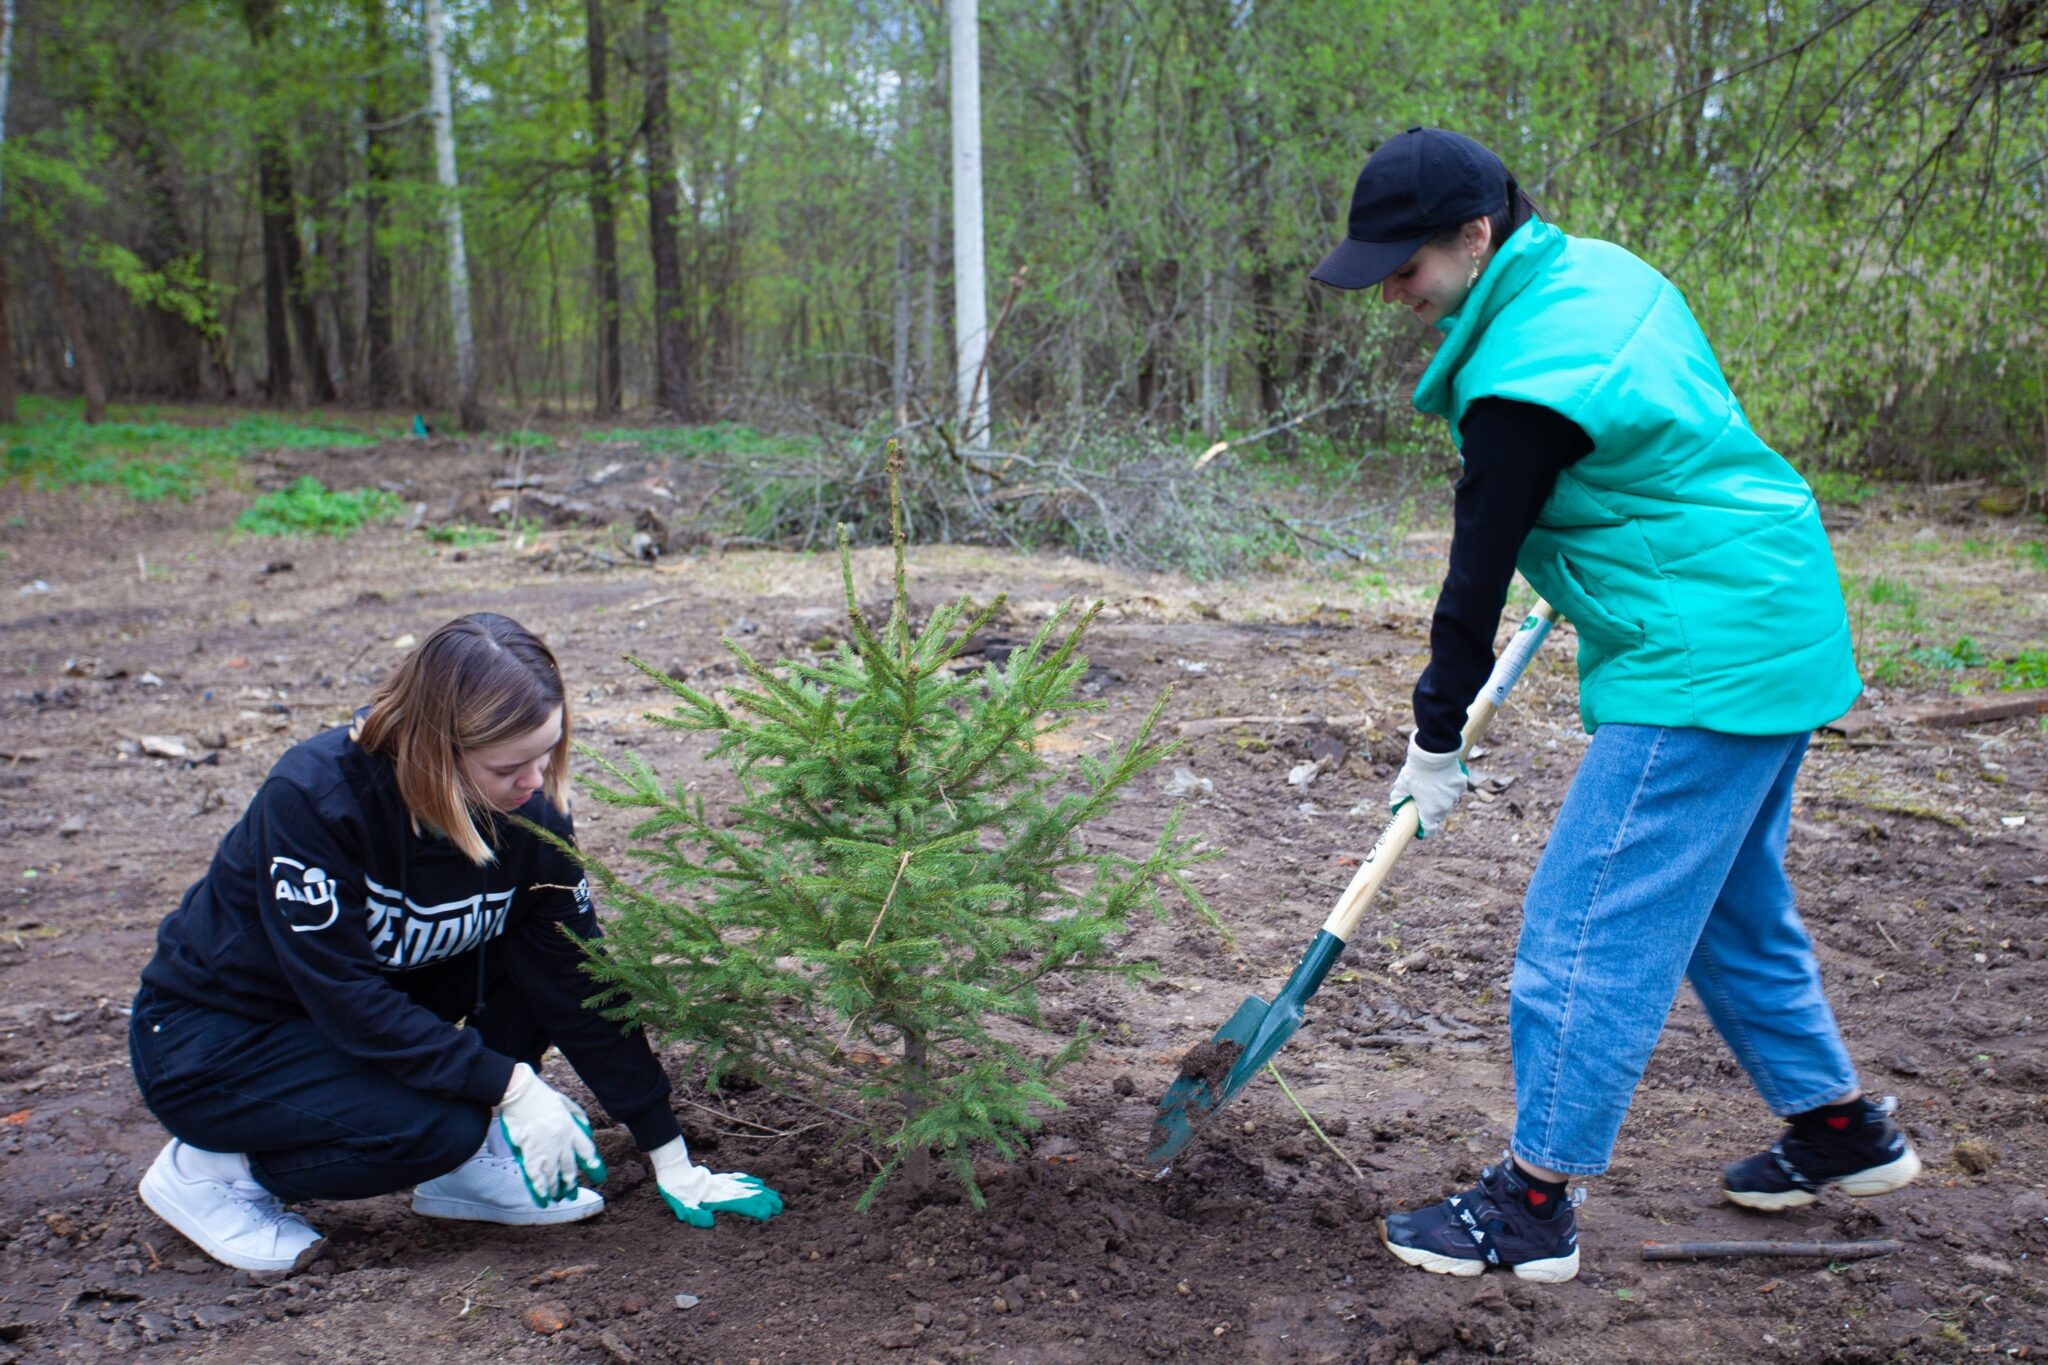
(1414, 187)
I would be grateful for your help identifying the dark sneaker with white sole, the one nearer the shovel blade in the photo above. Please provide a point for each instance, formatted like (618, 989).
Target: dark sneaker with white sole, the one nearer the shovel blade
(1490, 1225)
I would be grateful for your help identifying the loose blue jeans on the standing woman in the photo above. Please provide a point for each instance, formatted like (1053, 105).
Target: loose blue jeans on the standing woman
(1668, 863)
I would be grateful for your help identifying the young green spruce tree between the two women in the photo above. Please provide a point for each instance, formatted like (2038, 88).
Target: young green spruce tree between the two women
(900, 873)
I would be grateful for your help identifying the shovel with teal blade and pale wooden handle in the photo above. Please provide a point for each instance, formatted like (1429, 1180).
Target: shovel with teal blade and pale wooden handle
(1215, 1071)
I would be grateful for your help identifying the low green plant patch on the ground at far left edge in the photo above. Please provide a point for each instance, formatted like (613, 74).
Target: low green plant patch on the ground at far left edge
(54, 447)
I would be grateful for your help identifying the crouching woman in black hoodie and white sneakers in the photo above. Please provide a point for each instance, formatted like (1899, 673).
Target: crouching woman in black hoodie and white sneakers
(296, 1030)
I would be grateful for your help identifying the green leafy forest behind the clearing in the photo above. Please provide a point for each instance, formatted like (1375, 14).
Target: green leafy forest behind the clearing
(740, 208)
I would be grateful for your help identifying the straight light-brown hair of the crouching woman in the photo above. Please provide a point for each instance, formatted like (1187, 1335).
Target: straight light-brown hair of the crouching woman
(480, 680)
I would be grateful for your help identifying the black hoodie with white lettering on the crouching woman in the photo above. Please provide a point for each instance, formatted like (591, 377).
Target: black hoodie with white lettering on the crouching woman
(323, 899)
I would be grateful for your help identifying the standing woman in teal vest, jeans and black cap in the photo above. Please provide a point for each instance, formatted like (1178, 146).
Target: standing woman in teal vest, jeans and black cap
(1607, 457)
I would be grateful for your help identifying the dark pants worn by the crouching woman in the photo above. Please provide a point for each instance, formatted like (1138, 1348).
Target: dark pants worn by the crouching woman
(314, 1122)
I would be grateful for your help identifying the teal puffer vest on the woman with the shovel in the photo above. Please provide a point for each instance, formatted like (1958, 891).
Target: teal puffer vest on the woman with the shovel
(1687, 554)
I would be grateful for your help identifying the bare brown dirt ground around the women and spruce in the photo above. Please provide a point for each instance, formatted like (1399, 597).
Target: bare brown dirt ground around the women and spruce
(1918, 850)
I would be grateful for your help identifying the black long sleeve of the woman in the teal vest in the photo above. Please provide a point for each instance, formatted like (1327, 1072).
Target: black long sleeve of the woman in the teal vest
(1512, 459)
